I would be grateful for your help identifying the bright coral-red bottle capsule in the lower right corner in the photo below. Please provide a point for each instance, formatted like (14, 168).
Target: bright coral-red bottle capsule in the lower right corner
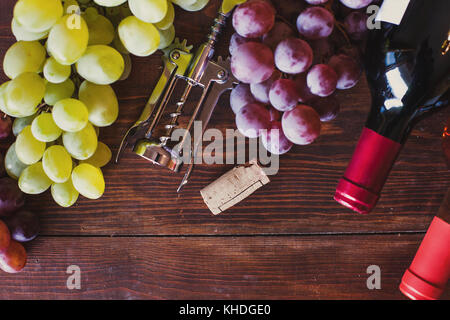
(428, 274)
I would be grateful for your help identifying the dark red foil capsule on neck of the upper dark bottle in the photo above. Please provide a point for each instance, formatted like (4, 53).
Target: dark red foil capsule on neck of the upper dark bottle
(367, 172)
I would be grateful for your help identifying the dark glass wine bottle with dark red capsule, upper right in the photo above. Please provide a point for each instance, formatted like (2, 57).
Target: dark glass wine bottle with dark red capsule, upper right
(407, 69)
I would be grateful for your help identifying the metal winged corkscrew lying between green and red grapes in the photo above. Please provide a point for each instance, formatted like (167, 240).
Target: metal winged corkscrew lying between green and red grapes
(150, 135)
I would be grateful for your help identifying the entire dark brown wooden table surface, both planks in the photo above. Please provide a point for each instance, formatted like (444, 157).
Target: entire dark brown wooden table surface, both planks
(290, 240)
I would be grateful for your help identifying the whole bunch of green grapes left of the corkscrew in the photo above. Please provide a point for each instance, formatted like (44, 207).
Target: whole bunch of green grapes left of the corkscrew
(67, 55)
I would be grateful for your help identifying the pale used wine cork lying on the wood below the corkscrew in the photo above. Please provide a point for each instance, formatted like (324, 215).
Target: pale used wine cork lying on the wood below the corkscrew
(233, 187)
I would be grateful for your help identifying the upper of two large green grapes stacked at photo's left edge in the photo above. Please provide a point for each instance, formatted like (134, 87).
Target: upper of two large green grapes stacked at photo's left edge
(24, 56)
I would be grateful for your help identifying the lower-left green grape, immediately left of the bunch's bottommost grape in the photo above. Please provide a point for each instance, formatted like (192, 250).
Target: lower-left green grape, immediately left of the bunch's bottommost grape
(33, 179)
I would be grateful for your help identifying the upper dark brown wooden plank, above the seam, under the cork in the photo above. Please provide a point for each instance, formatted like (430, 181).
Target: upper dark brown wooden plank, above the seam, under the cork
(141, 199)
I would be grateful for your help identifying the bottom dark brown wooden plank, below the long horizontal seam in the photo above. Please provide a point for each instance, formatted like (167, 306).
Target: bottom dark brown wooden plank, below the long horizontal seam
(324, 267)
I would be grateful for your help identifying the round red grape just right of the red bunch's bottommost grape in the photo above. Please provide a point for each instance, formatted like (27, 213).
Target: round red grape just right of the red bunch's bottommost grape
(301, 125)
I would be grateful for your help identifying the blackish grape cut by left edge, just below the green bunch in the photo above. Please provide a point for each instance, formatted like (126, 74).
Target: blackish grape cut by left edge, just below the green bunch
(11, 197)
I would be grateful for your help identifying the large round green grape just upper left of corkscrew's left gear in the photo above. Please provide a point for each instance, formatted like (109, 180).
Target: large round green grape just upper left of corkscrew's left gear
(138, 37)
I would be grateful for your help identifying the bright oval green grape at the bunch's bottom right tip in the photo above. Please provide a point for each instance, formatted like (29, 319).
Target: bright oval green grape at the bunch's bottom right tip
(88, 181)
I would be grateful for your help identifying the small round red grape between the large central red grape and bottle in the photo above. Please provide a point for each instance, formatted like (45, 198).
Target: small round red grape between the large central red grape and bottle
(322, 80)
